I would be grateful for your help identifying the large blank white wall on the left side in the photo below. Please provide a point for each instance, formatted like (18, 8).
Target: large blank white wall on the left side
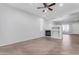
(16, 25)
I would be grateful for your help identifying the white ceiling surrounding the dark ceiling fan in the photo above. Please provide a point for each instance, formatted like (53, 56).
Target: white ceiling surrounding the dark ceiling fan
(66, 9)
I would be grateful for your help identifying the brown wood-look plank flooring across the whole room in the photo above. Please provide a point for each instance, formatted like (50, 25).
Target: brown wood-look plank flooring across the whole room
(44, 46)
